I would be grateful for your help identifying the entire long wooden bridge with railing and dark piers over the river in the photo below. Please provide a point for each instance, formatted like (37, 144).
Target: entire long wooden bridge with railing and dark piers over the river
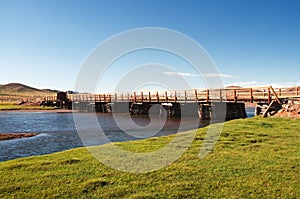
(201, 102)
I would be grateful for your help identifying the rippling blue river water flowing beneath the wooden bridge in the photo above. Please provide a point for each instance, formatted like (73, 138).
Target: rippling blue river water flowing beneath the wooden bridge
(57, 131)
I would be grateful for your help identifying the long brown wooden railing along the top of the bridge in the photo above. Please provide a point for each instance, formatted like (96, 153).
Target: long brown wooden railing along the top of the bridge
(262, 94)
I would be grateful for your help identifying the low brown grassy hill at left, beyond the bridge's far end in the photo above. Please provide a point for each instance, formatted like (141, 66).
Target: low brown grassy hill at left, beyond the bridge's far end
(17, 91)
